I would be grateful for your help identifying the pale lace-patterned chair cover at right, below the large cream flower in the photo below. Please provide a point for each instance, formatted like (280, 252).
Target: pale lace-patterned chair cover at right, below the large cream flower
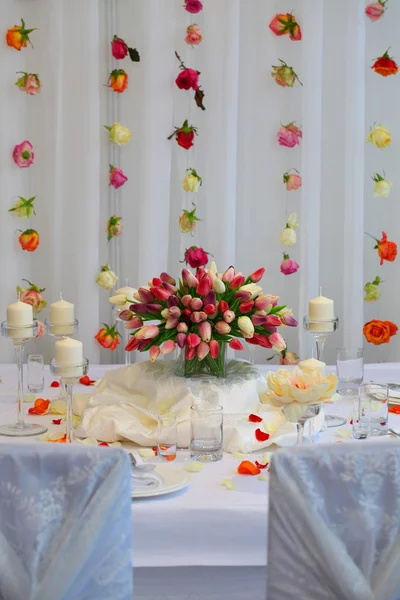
(334, 523)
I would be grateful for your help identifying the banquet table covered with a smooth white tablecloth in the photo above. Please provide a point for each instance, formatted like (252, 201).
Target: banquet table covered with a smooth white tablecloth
(204, 541)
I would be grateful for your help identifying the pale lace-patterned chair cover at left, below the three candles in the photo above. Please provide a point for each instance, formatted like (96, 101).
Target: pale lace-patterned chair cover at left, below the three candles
(65, 523)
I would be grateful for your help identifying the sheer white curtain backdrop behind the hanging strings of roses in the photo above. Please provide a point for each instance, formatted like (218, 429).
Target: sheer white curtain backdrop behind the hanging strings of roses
(243, 203)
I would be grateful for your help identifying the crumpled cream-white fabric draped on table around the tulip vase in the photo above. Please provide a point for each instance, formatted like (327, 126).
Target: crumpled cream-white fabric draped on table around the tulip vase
(127, 402)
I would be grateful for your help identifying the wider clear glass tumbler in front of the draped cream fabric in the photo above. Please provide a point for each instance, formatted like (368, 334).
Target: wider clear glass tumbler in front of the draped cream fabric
(206, 435)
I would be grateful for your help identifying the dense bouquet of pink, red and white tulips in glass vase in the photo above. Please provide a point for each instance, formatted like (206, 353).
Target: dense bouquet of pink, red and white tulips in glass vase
(202, 313)
